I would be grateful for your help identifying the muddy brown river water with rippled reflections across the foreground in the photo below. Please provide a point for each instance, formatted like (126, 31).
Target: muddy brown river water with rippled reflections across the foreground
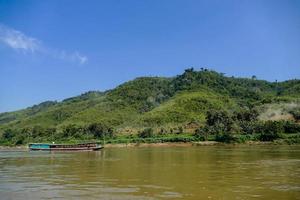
(218, 172)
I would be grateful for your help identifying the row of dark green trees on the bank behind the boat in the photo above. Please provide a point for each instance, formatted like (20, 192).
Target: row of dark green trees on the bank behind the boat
(69, 132)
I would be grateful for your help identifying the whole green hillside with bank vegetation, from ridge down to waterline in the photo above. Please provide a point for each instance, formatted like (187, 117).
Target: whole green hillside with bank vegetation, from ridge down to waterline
(194, 106)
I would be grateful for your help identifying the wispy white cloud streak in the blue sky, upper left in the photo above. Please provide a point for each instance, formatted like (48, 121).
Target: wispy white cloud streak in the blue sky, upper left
(21, 42)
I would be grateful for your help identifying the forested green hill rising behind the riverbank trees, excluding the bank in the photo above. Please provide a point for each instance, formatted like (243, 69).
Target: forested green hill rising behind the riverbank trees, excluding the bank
(184, 103)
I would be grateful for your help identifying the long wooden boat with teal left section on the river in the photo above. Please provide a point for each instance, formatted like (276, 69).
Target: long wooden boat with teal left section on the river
(65, 147)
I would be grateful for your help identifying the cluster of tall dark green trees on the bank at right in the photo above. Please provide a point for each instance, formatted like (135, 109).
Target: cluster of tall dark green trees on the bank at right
(227, 125)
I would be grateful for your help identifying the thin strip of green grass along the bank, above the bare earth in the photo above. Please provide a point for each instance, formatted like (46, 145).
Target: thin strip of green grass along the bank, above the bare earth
(284, 138)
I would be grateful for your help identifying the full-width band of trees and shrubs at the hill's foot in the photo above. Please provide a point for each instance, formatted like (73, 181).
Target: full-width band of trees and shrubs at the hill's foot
(221, 125)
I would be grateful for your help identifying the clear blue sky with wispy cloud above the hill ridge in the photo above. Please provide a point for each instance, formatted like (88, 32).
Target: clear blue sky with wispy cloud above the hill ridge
(51, 50)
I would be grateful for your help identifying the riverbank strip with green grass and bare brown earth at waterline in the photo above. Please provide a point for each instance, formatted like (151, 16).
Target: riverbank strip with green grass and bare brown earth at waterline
(185, 139)
